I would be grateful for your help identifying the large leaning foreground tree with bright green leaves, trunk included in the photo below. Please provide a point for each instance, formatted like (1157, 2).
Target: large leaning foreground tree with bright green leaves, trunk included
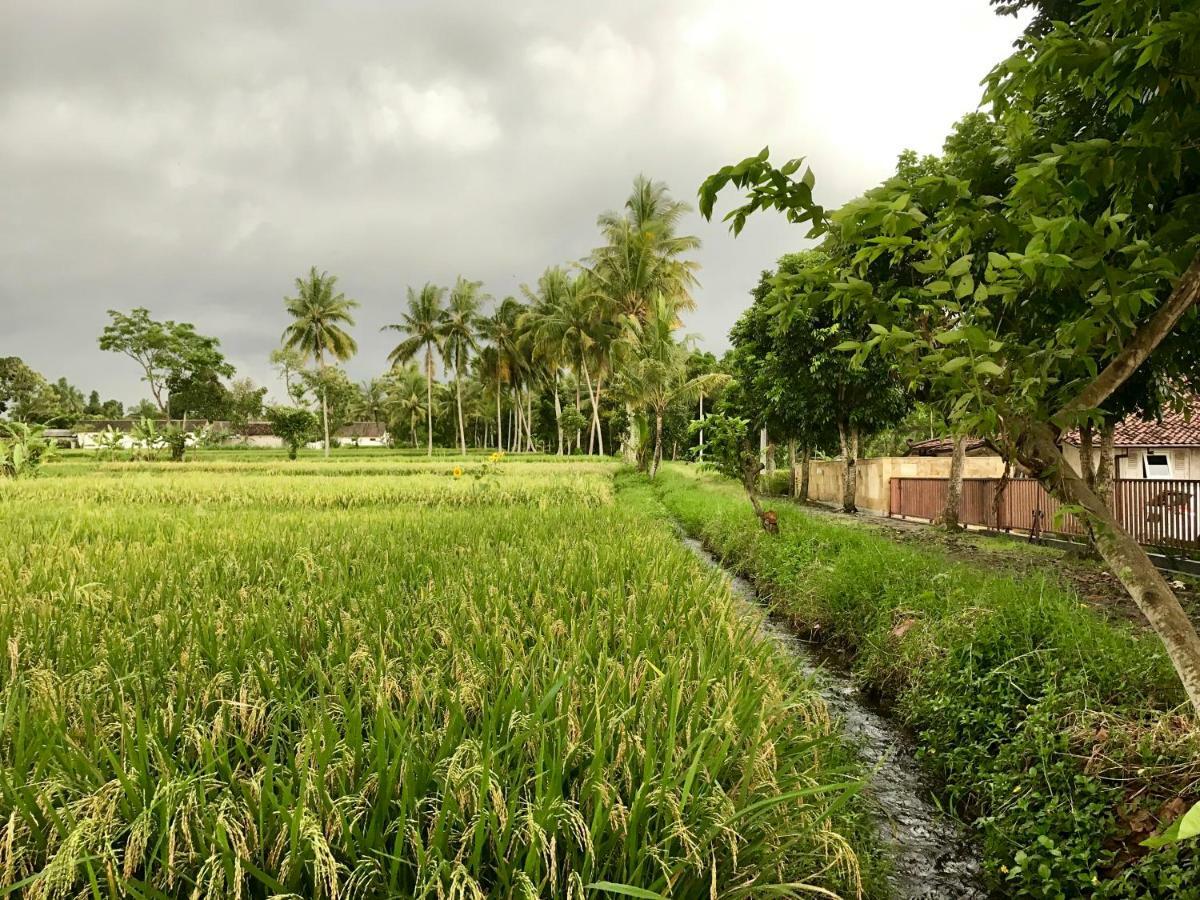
(1039, 307)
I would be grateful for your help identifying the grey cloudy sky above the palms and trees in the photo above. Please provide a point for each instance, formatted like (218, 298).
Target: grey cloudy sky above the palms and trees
(196, 158)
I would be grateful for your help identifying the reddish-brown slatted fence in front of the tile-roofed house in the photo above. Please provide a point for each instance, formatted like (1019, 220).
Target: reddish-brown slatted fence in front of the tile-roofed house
(1159, 513)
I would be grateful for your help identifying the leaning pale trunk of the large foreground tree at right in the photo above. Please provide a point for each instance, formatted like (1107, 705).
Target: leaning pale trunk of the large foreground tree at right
(1125, 557)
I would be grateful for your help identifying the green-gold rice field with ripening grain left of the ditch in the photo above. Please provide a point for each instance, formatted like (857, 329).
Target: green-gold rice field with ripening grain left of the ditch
(387, 677)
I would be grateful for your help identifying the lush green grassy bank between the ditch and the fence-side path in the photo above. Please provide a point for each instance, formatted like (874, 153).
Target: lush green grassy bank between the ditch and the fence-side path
(1061, 735)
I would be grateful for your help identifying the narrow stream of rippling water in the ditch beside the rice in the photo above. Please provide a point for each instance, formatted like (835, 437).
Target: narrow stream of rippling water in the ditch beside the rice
(929, 854)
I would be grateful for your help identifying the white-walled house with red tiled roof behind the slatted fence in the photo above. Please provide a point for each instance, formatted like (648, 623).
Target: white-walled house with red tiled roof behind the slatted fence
(1153, 449)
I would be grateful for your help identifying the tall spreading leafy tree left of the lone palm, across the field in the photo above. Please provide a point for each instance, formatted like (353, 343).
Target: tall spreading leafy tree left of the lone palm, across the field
(164, 350)
